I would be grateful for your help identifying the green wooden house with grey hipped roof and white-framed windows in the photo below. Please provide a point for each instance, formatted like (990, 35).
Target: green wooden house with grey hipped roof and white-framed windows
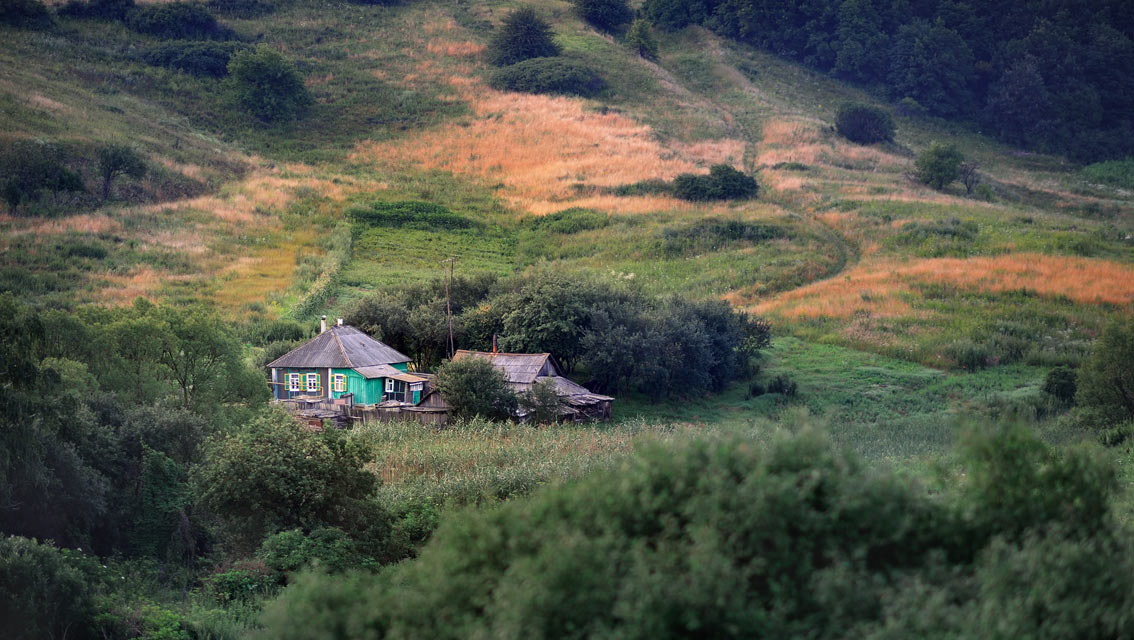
(343, 363)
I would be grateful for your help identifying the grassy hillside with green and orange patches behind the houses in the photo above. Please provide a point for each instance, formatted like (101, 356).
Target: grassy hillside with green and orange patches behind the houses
(242, 216)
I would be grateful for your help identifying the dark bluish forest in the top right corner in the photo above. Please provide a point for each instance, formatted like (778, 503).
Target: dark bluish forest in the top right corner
(1046, 75)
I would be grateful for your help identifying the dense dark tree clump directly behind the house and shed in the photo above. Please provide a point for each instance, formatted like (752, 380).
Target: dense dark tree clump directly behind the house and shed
(625, 342)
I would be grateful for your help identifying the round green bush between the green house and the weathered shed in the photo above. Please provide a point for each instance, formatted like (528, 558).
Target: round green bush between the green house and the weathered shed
(473, 388)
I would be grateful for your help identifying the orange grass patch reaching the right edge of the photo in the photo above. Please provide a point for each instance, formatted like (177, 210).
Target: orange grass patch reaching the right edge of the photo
(879, 288)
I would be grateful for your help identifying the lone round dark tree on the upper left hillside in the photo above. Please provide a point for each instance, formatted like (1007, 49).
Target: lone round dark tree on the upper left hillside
(264, 85)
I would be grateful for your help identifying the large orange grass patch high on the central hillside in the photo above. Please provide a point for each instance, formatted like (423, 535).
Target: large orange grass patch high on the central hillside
(539, 148)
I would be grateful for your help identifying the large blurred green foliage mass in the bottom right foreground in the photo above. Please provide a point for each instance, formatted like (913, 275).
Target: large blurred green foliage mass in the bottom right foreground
(723, 538)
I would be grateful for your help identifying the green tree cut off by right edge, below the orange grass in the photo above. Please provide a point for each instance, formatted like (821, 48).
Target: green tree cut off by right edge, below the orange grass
(1106, 382)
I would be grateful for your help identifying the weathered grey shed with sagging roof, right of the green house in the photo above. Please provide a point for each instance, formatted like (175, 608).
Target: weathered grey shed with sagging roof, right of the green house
(524, 370)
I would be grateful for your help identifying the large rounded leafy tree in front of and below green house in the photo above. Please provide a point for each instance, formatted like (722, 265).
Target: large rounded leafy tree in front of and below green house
(274, 475)
